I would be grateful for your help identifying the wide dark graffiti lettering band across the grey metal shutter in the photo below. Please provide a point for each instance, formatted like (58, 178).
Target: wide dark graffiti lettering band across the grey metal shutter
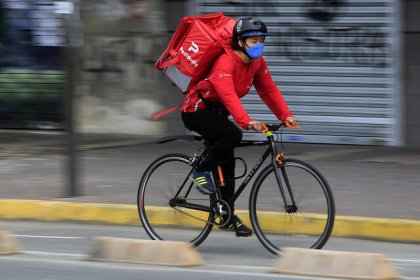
(353, 45)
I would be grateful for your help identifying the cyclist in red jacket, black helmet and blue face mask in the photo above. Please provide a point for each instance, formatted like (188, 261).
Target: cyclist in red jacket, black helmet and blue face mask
(206, 108)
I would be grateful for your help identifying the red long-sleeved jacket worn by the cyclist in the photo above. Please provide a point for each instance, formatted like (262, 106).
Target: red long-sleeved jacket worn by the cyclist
(229, 80)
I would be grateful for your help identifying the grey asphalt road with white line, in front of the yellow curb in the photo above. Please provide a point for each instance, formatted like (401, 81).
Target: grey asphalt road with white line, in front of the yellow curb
(58, 251)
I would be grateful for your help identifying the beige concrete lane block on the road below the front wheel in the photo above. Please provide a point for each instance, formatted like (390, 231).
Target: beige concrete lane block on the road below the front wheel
(335, 264)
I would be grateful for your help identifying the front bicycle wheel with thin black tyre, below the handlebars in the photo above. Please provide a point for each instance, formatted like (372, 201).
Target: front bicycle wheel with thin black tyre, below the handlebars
(307, 218)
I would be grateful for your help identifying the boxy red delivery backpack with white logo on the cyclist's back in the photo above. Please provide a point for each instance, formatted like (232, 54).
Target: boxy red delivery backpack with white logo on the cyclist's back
(195, 45)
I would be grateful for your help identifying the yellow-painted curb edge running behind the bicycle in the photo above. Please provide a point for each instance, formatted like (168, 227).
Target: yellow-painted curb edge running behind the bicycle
(123, 214)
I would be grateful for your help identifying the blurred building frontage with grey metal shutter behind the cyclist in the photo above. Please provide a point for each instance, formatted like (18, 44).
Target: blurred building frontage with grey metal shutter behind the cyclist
(347, 68)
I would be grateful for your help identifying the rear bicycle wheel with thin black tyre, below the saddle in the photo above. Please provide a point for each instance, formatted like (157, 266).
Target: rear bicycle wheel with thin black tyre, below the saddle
(158, 186)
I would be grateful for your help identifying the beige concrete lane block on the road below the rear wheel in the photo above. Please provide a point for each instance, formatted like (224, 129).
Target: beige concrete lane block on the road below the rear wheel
(144, 251)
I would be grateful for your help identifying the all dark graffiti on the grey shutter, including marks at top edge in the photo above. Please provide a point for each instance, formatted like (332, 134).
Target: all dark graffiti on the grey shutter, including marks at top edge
(323, 33)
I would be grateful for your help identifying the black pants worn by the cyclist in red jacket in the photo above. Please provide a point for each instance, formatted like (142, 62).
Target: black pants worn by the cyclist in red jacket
(223, 135)
